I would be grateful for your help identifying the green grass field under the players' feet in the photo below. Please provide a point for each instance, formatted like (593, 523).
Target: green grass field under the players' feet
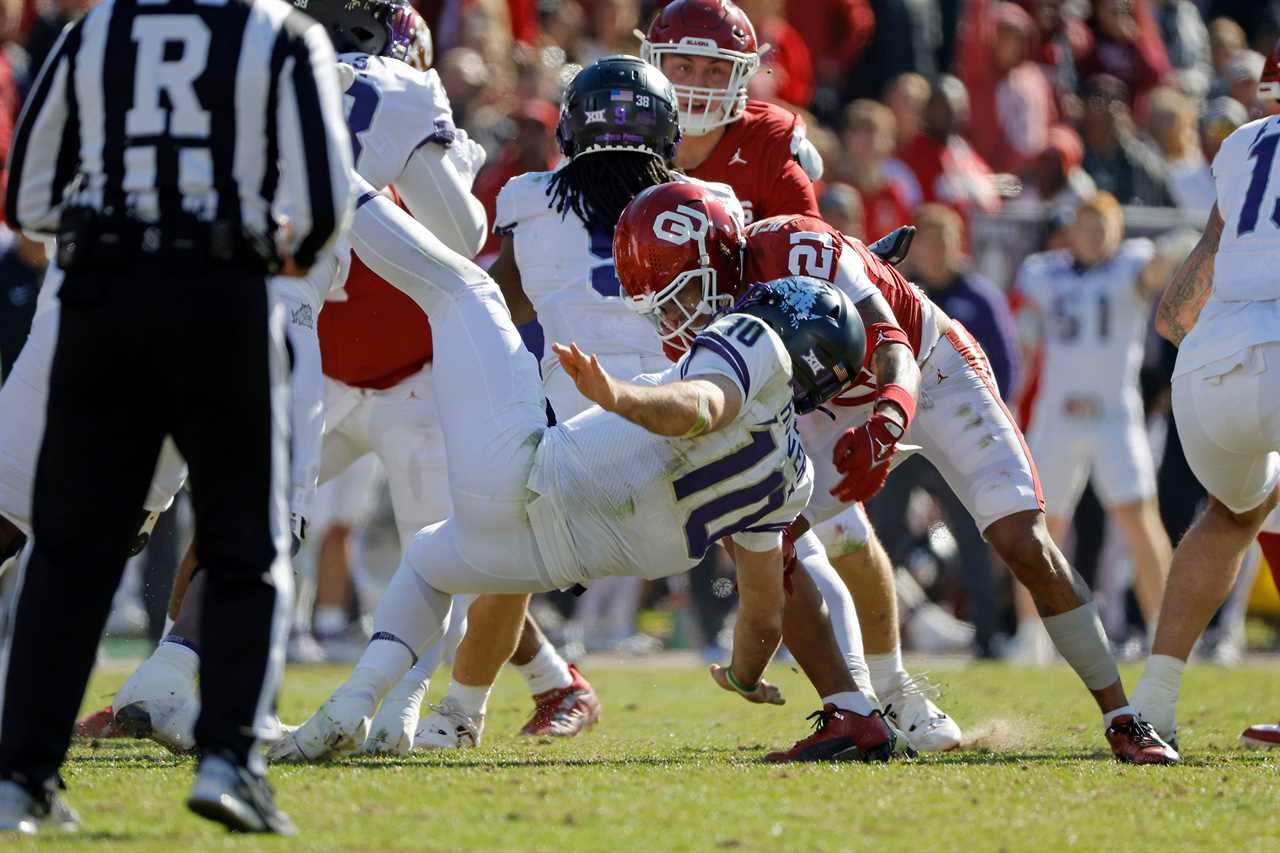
(675, 767)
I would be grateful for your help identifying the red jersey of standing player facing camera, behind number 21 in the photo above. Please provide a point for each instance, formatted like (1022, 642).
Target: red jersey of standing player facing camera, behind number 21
(756, 157)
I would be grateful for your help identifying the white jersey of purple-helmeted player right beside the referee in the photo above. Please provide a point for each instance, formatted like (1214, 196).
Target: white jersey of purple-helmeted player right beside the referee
(392, 111)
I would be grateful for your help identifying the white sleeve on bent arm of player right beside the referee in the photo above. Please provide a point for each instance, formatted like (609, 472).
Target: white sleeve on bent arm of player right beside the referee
(440, 197)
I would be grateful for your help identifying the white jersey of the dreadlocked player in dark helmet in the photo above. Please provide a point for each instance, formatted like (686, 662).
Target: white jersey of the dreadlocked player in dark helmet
(568, 272)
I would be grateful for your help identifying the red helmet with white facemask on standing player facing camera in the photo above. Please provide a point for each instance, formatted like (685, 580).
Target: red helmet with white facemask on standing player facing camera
(715, 29)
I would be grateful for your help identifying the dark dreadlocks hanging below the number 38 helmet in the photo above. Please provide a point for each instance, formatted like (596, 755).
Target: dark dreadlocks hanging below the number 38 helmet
(597, 188)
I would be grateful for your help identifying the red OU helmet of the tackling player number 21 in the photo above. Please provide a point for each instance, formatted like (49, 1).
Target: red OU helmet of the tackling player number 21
(679, 257)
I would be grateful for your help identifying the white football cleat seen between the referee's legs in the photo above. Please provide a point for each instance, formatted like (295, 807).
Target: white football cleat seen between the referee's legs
(161, 700)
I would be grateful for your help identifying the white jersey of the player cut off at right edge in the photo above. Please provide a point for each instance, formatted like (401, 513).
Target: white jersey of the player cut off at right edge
(1244, 309)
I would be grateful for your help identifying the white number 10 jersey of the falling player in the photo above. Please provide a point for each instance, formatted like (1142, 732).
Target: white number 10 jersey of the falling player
(630, 503)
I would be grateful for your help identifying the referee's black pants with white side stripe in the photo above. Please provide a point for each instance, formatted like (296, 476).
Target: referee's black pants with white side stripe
(141, 354)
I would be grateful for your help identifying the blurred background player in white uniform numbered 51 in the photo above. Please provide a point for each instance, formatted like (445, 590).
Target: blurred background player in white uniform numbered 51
(1090, 304)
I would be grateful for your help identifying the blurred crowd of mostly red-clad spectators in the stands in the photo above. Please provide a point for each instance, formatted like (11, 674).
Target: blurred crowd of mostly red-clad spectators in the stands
(966, 103)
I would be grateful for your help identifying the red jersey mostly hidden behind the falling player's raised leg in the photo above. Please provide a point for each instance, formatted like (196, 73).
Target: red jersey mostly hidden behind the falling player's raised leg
(377, 337)
